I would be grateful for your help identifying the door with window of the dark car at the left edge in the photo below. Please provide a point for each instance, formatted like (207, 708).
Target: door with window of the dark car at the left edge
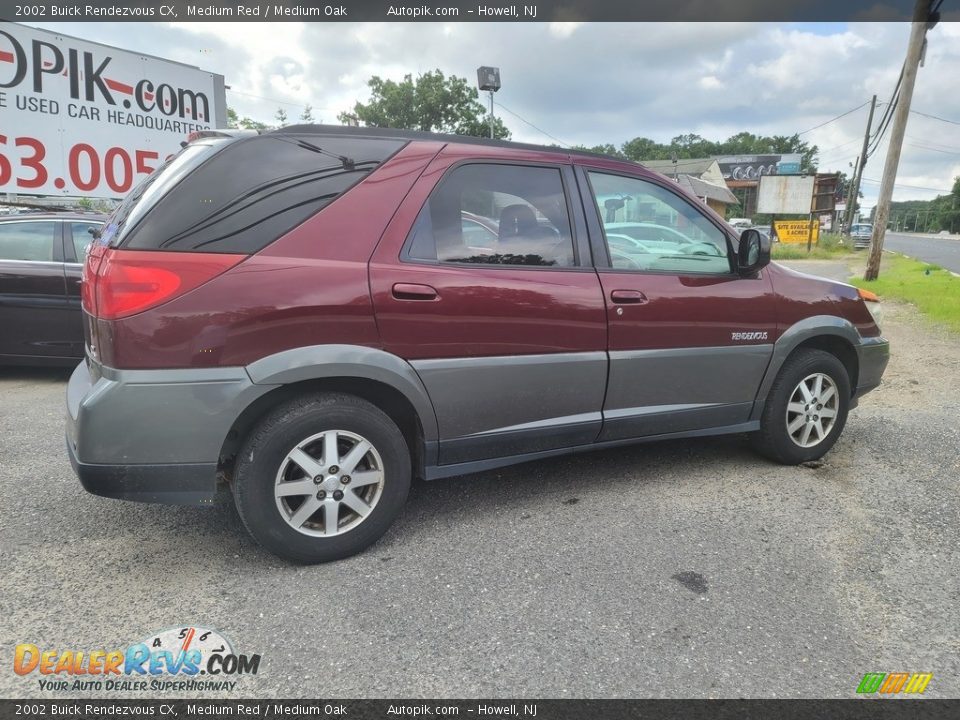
(34, 310)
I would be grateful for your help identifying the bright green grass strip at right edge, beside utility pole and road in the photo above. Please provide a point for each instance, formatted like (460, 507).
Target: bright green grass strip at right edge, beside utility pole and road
(935, 291)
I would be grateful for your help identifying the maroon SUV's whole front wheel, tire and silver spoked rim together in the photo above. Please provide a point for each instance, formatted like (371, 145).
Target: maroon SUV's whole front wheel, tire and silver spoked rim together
(806, 408)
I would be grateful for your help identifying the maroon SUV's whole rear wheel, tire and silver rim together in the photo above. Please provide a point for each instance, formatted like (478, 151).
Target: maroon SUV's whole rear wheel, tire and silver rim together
(322, 477)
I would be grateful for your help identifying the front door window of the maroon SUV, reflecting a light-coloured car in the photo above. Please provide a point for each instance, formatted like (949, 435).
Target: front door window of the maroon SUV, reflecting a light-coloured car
(649, 228)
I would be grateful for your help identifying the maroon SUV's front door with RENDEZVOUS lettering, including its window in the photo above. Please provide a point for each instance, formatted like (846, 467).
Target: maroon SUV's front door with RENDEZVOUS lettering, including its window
(689, 338)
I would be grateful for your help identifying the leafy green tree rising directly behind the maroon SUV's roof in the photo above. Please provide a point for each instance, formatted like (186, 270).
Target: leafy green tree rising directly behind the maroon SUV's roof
(432, 102)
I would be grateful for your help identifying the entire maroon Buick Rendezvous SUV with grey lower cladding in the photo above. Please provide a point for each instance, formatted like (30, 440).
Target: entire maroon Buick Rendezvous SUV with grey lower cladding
(313, 316)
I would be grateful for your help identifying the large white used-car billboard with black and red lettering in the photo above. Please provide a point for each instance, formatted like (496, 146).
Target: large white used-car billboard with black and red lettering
(83, 119)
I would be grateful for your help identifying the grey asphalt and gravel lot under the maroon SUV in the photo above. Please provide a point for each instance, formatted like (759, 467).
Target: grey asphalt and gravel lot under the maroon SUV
(679, 569)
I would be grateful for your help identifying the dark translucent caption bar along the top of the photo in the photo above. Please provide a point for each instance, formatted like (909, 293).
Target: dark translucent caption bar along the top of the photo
(32, 11)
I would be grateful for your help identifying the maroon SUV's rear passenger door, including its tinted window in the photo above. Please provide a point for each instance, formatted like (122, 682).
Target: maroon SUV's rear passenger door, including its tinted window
(508, 334)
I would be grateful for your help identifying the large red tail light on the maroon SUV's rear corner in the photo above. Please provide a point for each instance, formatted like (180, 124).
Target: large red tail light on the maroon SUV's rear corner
(119, 283)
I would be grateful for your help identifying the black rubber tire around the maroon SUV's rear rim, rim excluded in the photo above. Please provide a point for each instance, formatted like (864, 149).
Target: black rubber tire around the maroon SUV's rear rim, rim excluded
(265, 451)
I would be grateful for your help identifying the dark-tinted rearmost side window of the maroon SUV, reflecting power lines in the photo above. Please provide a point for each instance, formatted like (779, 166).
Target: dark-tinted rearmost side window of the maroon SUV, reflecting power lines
(240, 197)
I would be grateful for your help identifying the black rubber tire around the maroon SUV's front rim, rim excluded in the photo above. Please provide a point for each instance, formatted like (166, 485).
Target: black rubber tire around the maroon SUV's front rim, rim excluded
(773, 440)
